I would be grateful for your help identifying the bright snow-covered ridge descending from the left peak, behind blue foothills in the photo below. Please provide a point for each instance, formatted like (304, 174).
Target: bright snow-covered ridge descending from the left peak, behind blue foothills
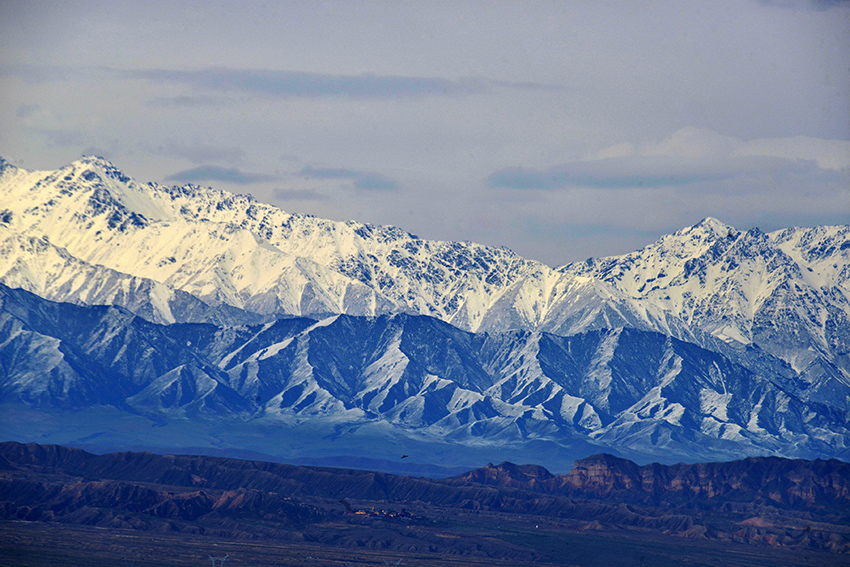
(229, 249)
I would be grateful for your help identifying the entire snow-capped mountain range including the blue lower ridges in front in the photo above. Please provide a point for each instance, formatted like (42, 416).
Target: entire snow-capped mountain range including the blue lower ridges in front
(708, 341)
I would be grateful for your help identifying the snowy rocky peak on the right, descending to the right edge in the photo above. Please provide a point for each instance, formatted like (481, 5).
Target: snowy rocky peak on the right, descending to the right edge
(786, 292)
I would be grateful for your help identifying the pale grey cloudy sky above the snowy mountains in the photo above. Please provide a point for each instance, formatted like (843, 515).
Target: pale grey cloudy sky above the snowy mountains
(562, 130)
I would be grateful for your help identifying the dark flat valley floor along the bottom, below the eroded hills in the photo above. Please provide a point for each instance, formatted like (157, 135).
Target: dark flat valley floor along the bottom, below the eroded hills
(494, 540)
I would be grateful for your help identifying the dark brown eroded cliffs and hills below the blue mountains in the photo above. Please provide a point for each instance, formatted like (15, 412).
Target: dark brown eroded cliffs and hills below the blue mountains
(773, 501)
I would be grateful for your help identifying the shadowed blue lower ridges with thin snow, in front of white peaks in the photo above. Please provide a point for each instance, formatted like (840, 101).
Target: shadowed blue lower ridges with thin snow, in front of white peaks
(622, 389)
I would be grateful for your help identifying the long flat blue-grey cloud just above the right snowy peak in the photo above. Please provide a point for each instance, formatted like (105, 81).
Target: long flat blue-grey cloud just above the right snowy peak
(644, 171)
